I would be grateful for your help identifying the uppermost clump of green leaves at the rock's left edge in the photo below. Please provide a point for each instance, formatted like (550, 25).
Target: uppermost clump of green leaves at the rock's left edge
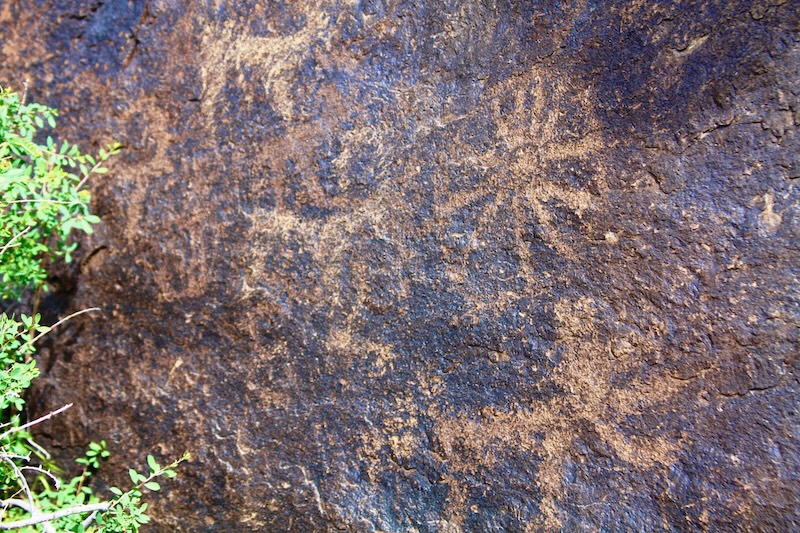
(41, 200)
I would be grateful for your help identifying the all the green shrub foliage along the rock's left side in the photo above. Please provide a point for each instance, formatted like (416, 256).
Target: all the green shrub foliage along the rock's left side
(43, 205)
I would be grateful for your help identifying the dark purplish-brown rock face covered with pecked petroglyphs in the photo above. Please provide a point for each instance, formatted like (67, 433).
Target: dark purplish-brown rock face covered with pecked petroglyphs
(436, 266)
